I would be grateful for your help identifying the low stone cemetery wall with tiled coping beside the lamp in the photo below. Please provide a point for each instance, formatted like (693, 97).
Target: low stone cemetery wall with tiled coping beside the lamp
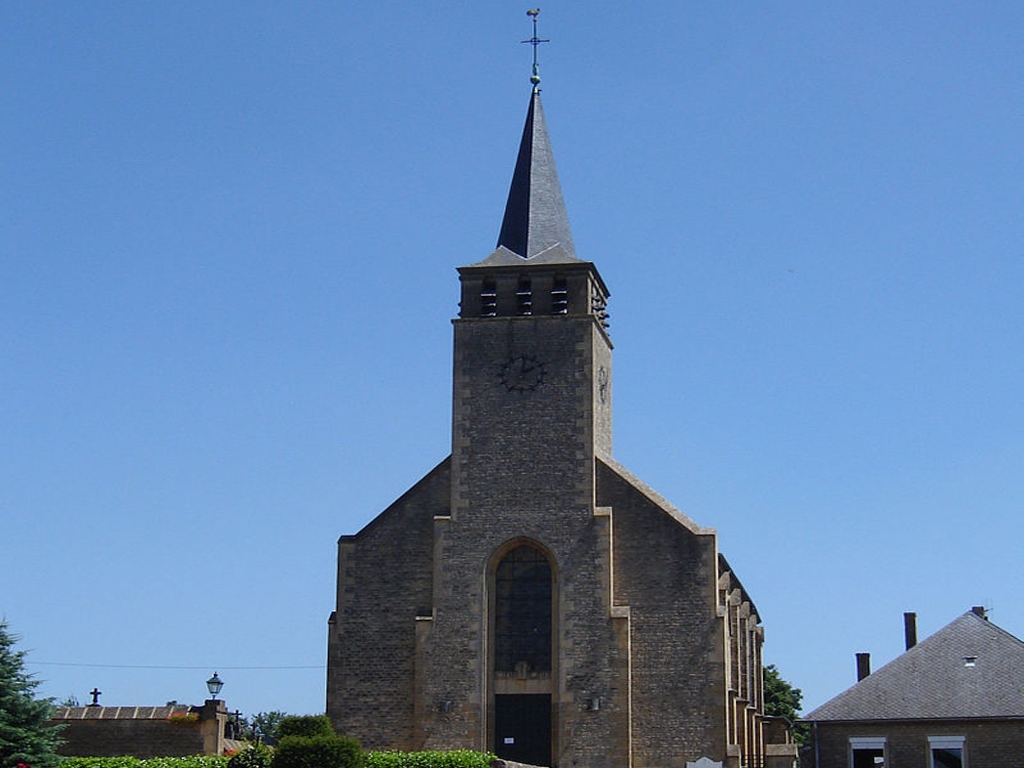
(144, 732)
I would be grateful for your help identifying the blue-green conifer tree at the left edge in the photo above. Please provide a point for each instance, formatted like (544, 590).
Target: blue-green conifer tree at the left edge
(25, 738)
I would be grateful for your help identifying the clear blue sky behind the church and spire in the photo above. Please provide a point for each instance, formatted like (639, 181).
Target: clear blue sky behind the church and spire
(229, 235)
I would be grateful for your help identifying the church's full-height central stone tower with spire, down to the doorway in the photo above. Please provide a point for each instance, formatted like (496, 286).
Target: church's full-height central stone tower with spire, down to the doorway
(521, 599)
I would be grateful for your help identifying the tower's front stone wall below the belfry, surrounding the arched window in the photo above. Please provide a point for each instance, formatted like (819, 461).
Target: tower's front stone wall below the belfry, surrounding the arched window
(524, 471)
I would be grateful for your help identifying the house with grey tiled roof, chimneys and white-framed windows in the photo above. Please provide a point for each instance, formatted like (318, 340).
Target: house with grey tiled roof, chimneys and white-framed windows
(954, 701)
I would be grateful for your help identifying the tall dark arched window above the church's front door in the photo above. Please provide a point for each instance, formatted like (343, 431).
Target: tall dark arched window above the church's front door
(523, 612)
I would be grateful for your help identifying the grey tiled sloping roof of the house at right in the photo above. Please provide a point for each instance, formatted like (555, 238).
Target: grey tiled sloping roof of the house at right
(933, 680)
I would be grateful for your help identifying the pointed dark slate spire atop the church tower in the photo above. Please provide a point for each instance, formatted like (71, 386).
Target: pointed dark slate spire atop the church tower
(535, 215)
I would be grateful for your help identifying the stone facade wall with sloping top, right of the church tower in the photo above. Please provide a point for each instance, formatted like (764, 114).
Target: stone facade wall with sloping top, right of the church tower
(666, 573)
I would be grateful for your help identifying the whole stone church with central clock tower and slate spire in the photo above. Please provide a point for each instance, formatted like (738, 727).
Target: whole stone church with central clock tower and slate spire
(529, 596)
